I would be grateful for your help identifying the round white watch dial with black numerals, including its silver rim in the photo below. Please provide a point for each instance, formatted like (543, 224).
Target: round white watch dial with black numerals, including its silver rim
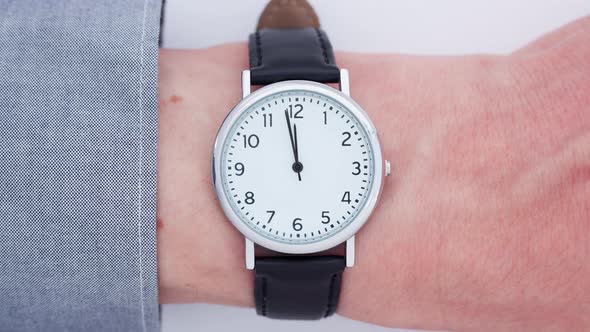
(298, 163)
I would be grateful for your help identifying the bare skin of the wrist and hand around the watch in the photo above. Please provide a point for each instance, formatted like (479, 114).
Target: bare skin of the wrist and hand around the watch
(484, 224)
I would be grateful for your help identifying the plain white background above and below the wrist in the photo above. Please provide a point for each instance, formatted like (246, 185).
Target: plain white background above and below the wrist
(410, 26)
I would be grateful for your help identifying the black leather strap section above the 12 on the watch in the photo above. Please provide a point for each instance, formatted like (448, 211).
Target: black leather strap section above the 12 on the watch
(291, 54)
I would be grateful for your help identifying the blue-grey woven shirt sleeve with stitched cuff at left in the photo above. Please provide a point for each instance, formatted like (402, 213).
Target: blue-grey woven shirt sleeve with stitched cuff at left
(78, 134)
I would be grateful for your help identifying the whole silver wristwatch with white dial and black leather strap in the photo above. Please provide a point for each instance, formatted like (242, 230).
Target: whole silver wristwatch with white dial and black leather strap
(297, 166)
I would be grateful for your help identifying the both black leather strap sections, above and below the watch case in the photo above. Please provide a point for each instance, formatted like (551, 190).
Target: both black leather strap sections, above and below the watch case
(295, 287)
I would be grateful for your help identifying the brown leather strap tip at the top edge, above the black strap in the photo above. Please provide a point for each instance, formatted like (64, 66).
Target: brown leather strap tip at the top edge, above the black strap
(284, 14)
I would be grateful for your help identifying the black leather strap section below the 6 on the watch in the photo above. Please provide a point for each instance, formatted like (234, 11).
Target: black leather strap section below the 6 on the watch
(298, 287)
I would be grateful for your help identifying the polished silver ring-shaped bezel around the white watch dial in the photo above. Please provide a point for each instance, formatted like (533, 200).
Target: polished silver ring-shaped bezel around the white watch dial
(373, 196)
